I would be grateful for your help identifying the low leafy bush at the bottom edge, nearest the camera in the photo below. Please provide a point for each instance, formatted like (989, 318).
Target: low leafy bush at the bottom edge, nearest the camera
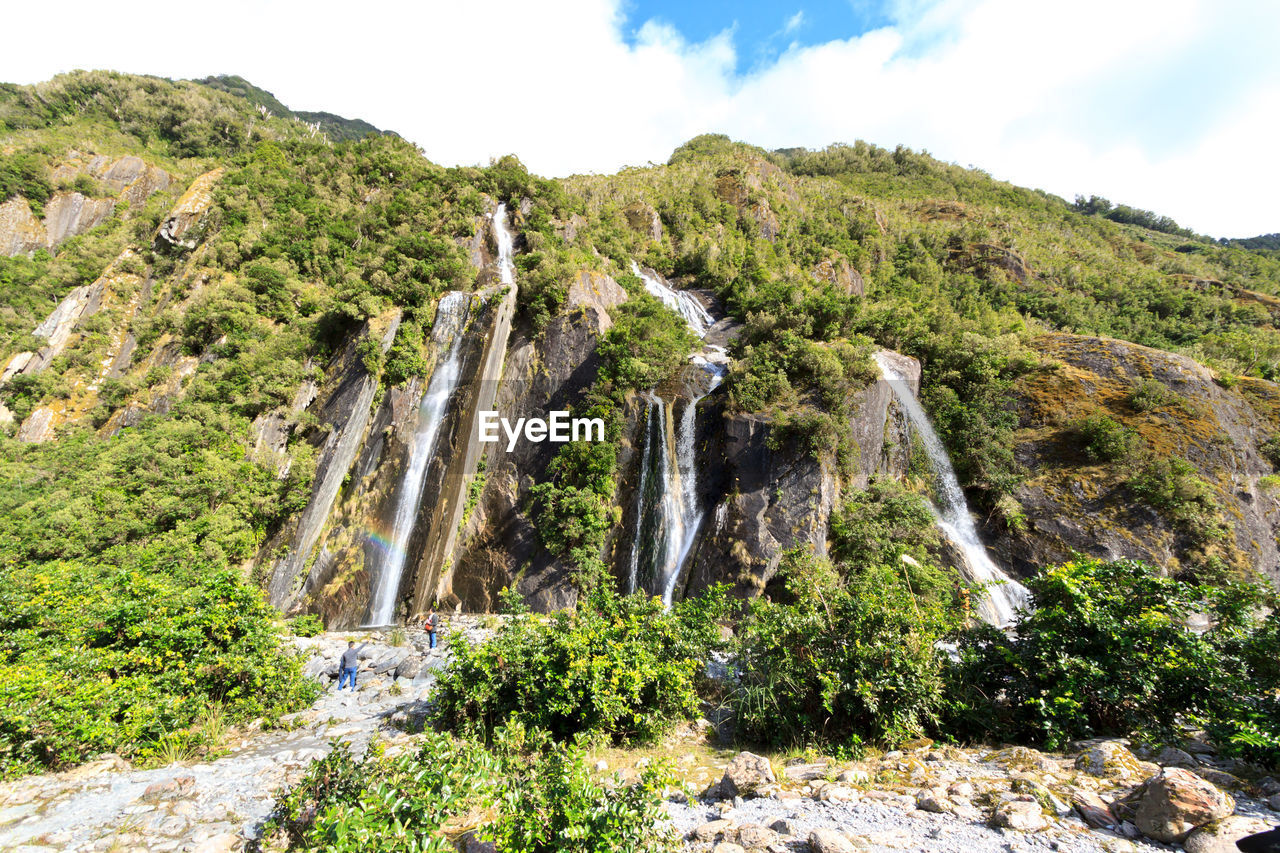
(533, 795)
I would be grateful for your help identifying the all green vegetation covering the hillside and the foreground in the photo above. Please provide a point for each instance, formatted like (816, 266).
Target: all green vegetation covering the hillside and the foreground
(130, 621)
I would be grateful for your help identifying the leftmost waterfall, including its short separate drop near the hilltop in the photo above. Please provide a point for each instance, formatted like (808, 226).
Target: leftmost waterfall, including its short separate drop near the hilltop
(390, 550)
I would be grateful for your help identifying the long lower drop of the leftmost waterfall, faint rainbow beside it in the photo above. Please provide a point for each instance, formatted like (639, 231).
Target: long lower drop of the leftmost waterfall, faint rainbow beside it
(447, 335)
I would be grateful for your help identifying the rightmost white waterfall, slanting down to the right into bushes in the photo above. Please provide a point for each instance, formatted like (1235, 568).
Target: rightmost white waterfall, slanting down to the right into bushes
(1007, 596)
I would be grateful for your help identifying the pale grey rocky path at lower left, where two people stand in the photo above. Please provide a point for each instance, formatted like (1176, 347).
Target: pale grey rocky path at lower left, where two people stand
(214, 806)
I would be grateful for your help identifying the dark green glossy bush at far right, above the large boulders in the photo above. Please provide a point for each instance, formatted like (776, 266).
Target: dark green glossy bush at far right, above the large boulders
(1107, 653)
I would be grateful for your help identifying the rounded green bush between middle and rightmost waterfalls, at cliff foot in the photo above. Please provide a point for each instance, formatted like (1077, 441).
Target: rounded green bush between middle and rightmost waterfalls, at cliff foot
(847, 663)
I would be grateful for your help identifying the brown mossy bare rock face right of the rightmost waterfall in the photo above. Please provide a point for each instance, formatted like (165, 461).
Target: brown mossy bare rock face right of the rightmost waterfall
(1178, 412)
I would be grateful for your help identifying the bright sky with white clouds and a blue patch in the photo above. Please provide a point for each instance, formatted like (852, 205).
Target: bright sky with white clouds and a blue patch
(1172, 106)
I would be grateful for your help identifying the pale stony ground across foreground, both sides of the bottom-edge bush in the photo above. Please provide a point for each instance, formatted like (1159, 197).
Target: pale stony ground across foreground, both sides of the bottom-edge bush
(1100, 799)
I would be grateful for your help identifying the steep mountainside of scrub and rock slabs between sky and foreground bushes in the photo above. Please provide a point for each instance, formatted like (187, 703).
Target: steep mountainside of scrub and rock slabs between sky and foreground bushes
(179, 256)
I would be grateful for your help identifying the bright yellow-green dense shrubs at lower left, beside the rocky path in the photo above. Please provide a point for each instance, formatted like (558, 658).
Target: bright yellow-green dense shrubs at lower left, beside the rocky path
(100, 660)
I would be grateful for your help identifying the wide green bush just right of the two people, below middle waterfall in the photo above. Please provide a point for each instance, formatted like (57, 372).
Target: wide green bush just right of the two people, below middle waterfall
(618, 667)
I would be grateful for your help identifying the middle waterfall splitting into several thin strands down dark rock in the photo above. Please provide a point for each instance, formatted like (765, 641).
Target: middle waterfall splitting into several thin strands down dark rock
(669, 512)
